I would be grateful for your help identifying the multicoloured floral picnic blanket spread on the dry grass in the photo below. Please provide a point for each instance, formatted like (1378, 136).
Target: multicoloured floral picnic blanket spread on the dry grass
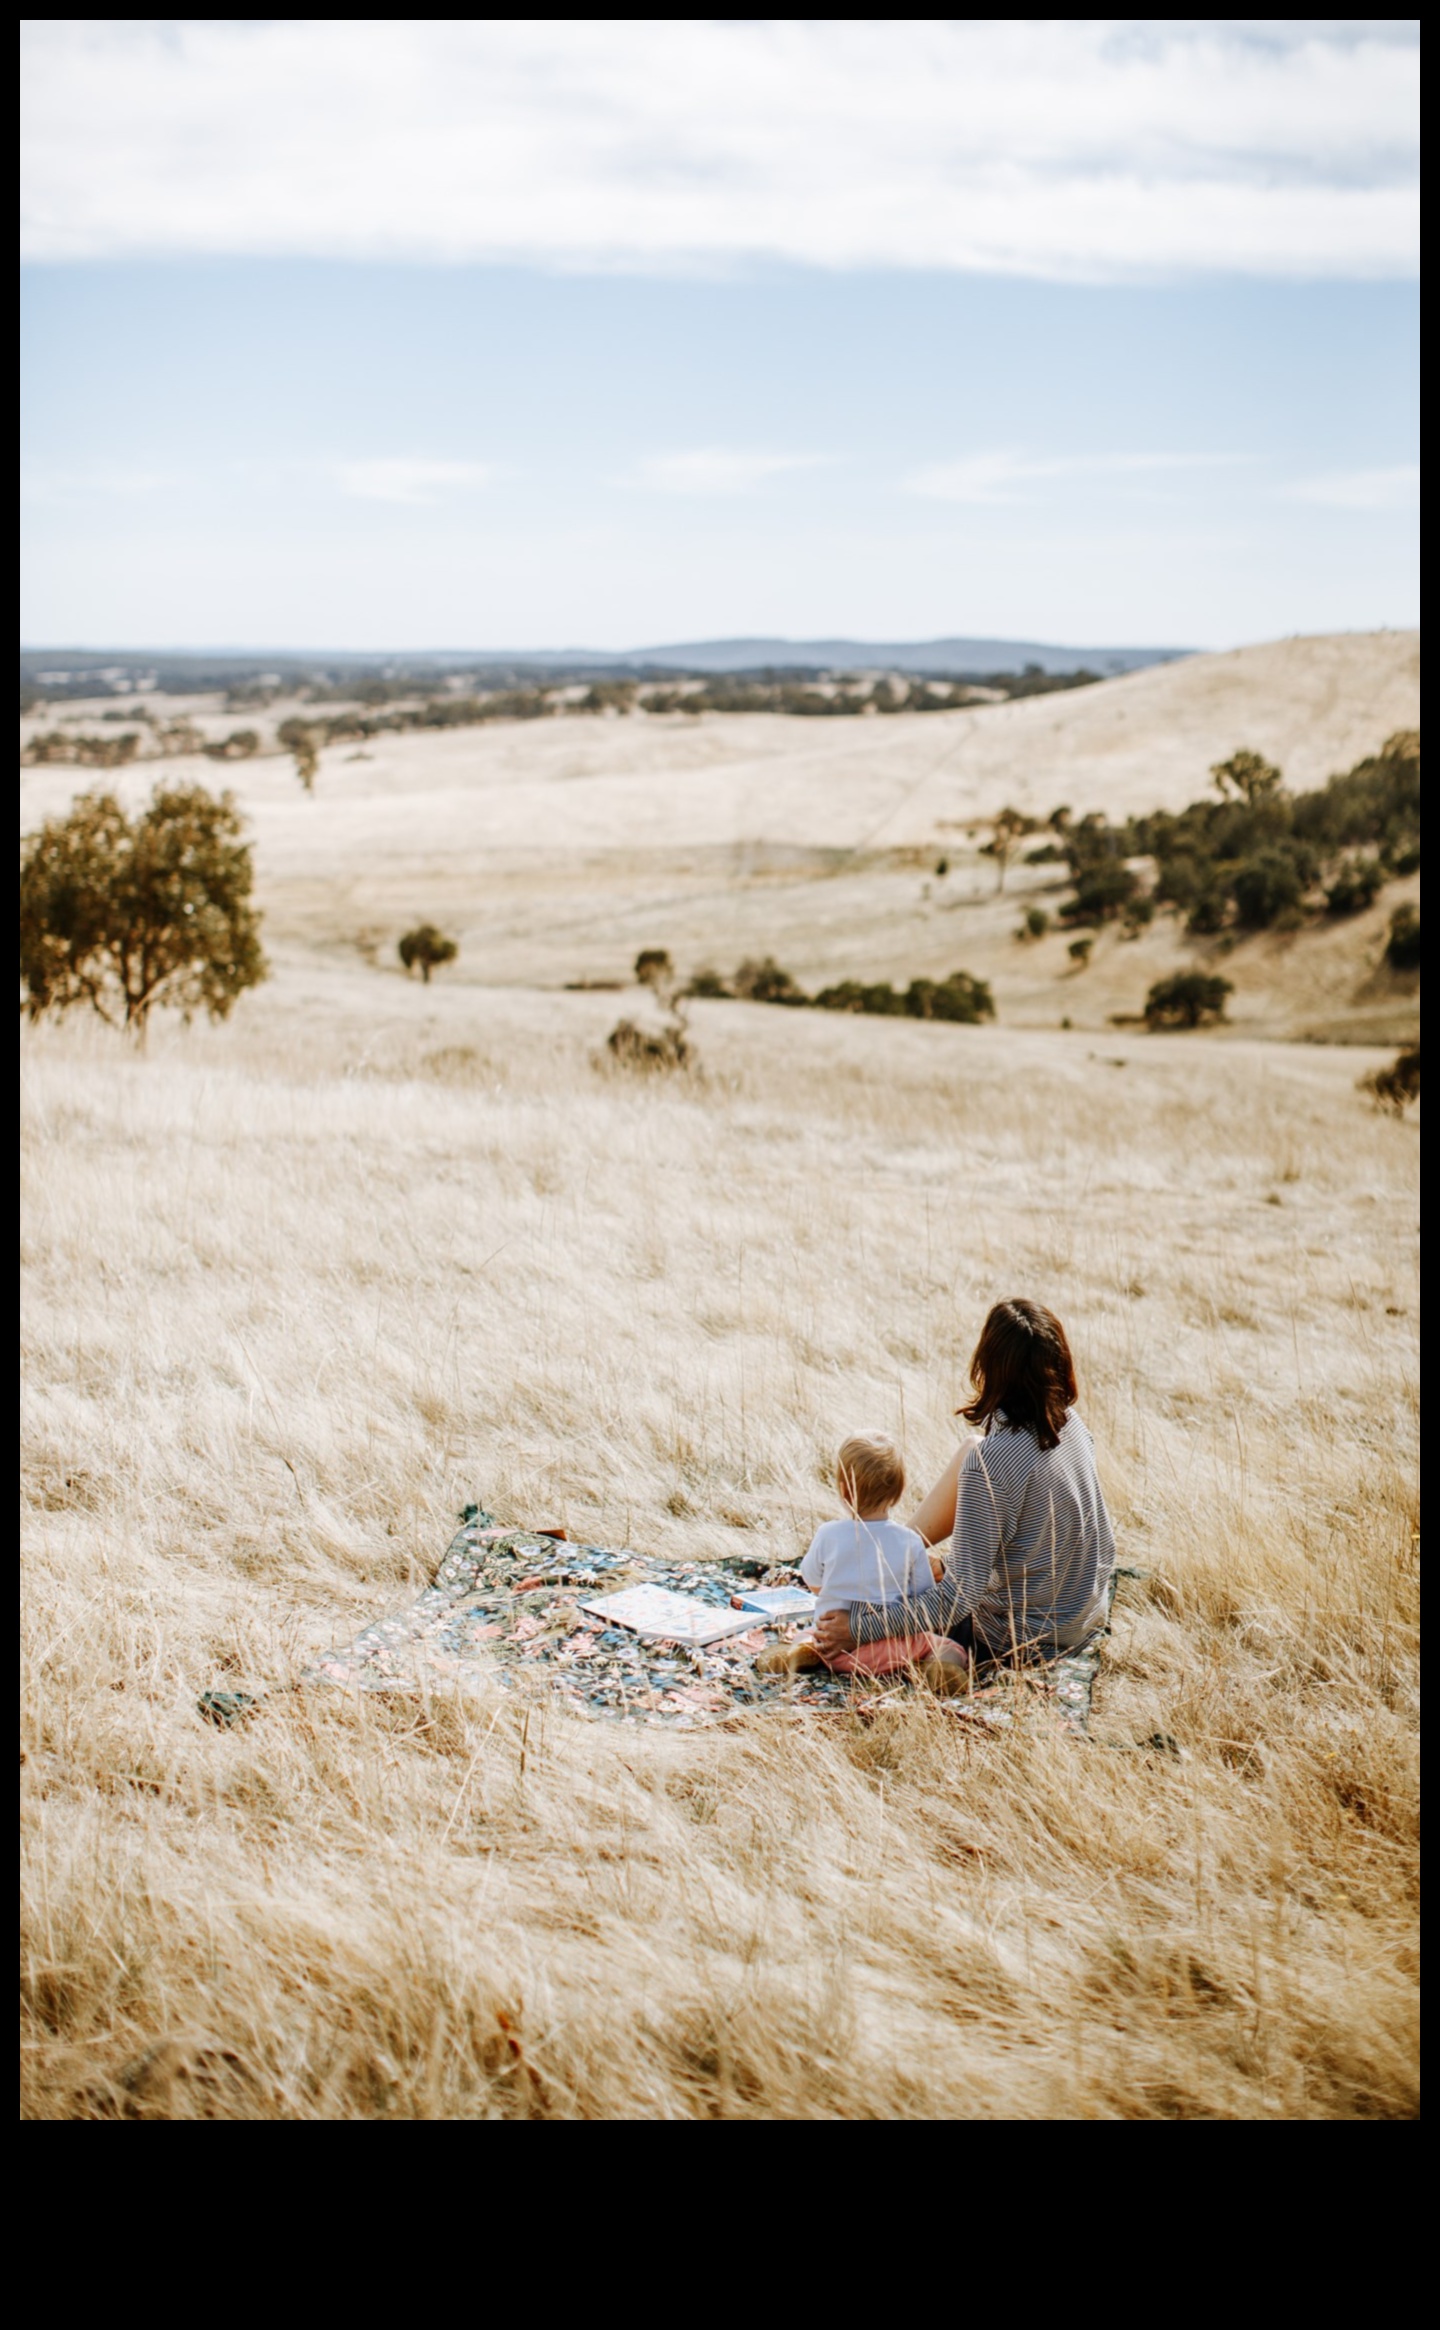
(509, 1604)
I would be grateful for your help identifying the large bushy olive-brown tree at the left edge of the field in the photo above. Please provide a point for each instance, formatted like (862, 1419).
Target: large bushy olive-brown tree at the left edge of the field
(125, 917)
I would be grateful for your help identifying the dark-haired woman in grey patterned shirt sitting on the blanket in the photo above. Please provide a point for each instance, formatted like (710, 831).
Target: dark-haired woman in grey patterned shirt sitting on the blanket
(1031, 1541)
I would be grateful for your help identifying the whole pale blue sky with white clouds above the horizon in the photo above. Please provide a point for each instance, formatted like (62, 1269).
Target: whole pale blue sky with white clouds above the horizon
(507, 346)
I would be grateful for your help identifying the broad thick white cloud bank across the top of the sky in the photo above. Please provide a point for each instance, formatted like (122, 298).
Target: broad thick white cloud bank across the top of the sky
(1038, 148)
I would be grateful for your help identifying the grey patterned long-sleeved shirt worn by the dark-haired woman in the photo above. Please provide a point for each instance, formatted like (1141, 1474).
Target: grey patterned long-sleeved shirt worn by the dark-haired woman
(1031, 1555)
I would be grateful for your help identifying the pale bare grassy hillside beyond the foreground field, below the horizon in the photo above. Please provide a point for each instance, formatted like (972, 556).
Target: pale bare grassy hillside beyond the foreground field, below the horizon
(558, 849)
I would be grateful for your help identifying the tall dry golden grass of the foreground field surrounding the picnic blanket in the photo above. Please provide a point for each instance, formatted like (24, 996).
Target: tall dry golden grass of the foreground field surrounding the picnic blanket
(302, 1287)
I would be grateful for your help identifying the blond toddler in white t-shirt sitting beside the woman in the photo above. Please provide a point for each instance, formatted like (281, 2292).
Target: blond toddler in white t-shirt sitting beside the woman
(868, 1560)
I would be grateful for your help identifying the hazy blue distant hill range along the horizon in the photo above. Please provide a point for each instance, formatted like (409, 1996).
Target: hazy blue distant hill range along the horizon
(90, 672)
